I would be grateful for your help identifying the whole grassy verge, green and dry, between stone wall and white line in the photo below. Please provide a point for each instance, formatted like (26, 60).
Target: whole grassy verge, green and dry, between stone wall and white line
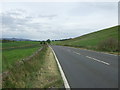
(40, 71)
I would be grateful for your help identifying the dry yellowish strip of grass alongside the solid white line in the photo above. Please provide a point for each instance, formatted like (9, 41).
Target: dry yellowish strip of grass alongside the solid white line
(49, 75)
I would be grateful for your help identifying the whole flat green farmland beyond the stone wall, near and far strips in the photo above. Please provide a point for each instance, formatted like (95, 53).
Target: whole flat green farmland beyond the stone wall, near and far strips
(11, 56)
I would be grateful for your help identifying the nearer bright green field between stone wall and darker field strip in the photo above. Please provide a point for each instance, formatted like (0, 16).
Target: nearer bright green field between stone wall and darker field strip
(9, 57)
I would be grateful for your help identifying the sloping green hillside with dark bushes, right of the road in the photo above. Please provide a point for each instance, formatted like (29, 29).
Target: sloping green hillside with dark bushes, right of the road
(103, 40)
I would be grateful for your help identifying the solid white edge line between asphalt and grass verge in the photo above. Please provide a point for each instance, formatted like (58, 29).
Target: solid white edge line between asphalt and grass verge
(66, 84)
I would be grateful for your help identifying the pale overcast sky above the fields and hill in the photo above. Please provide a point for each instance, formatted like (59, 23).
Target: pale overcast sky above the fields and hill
(56, 20)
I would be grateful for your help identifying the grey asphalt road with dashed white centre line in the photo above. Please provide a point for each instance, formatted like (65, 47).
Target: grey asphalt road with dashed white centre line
(88, 69)
